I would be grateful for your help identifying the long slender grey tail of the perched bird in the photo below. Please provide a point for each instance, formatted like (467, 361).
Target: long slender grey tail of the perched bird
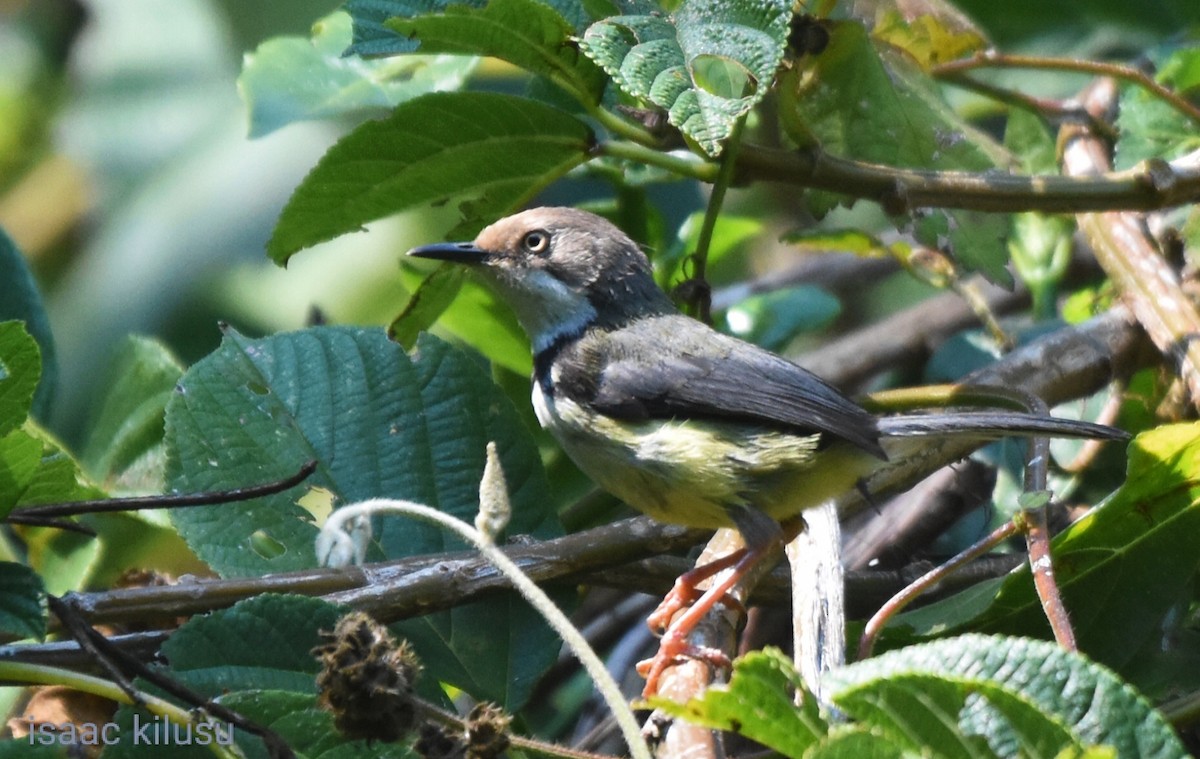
(992, 425)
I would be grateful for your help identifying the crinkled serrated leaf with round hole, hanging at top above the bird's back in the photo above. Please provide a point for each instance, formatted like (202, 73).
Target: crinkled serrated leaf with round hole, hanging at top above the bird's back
(707, 65)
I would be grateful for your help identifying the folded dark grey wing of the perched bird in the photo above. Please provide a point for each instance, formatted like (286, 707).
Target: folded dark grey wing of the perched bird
(673, 367)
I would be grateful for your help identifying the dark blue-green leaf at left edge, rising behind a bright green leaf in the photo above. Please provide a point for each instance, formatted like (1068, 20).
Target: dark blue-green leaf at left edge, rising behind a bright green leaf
(21, 300)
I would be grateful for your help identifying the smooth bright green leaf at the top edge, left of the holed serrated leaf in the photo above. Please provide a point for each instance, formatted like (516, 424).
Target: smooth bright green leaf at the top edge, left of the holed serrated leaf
(525, 33)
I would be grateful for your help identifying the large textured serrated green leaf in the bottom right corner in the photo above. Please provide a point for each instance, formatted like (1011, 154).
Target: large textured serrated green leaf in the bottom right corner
(1036, 697)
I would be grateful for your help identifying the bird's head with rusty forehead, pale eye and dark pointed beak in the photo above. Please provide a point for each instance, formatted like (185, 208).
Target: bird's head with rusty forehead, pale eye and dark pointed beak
(562, 271)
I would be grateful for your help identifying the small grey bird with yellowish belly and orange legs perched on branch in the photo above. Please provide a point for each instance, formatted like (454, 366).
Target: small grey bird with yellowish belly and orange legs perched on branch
(685, 423)
